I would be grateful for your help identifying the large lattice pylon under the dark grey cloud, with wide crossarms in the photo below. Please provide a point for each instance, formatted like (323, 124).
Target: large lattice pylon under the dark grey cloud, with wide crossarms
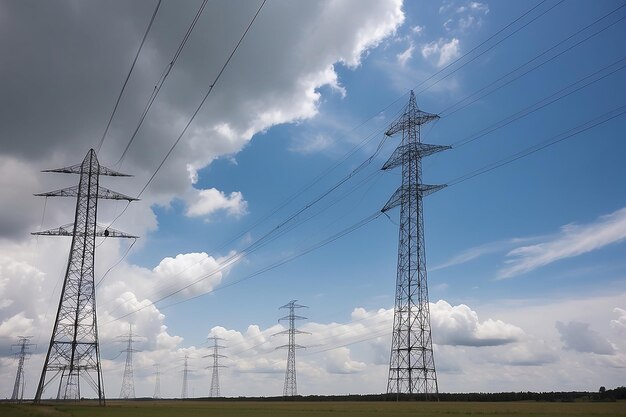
(74, 350)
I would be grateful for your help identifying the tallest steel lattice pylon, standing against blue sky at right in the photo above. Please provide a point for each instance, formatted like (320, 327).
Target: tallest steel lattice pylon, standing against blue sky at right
(412, 365)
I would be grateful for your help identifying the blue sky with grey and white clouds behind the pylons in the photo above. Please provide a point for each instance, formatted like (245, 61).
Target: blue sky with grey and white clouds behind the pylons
(271, 193)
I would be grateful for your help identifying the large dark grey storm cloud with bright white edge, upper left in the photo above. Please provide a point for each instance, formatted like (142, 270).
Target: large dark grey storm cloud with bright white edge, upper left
(68, 61)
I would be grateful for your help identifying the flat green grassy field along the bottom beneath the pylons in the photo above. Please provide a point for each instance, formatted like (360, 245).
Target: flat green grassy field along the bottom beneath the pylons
(310, 409)
